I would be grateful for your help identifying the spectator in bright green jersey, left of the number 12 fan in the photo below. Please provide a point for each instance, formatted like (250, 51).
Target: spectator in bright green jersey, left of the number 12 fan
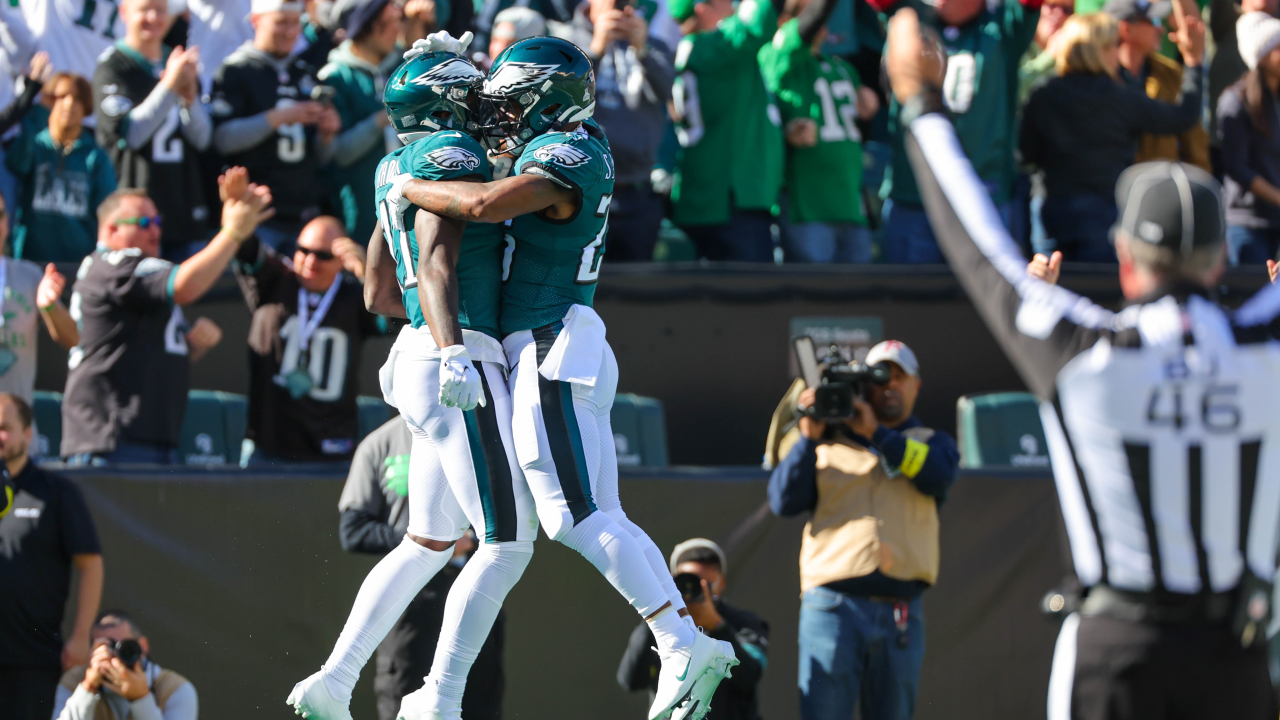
(730, 167)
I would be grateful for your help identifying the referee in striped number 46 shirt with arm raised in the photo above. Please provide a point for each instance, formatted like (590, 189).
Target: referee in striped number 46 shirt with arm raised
(1163, 423)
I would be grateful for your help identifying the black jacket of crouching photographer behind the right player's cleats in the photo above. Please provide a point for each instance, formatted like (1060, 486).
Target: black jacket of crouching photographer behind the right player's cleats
(737, 698)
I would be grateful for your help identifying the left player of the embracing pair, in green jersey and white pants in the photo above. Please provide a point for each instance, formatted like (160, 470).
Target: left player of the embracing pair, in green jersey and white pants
(444, 276)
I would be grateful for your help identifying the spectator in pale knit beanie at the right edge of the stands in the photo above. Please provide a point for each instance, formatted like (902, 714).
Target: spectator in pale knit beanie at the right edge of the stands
(1250, 124)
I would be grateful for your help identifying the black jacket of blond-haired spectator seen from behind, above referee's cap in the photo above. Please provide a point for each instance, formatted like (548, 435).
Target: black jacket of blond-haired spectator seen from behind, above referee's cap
(1084, 130)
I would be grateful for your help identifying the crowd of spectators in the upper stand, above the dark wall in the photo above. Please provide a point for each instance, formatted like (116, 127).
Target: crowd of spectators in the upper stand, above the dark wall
(755, 131)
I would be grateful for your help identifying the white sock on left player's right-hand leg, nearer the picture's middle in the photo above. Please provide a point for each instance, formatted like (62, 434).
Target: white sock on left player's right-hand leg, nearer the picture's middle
(470, 612)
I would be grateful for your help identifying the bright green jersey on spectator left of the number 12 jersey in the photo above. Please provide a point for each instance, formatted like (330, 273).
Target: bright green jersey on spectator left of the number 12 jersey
(730, 130)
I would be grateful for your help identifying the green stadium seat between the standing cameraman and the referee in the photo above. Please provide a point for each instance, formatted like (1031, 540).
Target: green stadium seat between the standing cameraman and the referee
(1000, 430)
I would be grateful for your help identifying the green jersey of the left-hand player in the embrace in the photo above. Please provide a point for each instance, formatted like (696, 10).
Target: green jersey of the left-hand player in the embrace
(446, 156)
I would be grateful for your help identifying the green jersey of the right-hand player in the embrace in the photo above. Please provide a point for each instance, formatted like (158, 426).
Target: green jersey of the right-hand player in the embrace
(555, 265)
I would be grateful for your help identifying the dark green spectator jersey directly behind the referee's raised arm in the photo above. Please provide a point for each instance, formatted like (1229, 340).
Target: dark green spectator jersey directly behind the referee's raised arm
(981, 90)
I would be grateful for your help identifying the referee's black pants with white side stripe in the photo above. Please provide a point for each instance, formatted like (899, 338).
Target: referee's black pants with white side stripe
(1128, 671)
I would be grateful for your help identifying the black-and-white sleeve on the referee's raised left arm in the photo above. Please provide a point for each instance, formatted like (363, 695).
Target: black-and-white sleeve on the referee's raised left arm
(1039, 326)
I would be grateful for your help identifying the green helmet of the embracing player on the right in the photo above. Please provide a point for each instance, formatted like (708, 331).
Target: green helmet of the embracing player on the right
(536, 86)
